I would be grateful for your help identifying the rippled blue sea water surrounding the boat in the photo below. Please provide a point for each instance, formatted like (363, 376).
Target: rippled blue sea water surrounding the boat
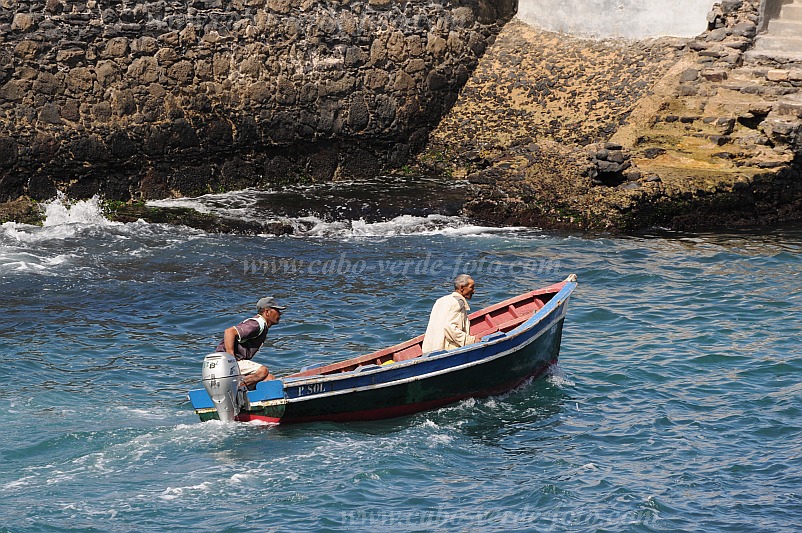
(676, 404)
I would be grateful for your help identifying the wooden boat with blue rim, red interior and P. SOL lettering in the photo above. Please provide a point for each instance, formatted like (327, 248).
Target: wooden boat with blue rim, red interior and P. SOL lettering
(517, 339)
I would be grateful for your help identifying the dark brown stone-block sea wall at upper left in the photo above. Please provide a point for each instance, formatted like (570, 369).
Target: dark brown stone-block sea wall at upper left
(157, 98)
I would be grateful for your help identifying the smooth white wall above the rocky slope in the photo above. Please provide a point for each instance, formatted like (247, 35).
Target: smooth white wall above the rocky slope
(631, 19)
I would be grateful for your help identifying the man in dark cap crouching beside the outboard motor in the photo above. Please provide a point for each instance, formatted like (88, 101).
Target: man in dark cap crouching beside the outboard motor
(244, 340)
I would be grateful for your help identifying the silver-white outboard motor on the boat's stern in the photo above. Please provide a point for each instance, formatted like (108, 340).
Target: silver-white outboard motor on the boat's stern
(223, 382)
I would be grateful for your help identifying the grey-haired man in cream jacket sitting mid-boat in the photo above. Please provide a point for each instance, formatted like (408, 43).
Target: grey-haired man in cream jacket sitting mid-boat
(448, 323)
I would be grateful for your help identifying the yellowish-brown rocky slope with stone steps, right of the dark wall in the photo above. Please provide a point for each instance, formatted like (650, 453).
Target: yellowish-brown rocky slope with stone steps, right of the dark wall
(555, 131)
